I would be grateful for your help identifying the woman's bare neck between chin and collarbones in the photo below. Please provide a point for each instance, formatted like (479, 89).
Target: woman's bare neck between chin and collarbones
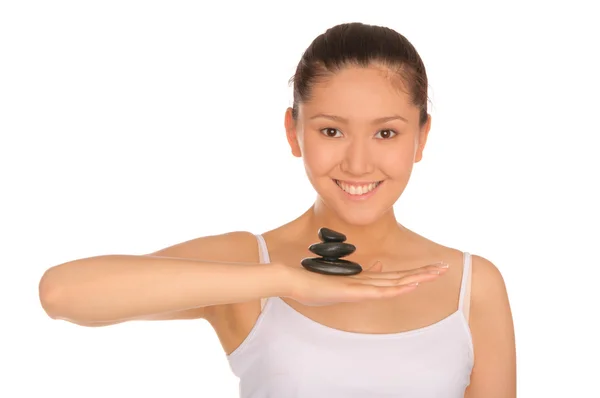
(384, 230)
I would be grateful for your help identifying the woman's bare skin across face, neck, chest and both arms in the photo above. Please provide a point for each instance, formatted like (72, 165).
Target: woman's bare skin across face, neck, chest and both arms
(353, 143)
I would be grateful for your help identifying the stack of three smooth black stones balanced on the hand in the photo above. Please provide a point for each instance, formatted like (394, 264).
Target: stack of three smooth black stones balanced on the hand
(331, 249)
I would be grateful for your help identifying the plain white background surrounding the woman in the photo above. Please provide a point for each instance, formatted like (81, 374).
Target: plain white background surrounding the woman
(128, 126)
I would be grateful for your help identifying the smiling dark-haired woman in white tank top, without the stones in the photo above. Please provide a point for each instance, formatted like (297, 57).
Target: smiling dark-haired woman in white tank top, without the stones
(420, 320)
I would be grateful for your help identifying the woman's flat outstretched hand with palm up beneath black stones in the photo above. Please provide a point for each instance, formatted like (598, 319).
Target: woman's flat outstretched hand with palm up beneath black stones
(314, 289)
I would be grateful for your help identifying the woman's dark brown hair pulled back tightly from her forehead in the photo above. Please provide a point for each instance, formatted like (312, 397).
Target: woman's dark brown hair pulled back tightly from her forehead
(361, 45)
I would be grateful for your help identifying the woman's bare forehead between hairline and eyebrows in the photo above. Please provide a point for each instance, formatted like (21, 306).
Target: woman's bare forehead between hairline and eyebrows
(360, 93)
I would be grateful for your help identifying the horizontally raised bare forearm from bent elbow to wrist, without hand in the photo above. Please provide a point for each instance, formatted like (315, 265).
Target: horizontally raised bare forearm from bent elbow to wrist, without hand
(121, 287)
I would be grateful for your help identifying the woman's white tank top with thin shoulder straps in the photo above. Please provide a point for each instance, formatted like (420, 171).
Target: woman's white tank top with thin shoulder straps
(288, 355)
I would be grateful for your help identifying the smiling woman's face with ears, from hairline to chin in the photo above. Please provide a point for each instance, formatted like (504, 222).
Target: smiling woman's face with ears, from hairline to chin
(359, 137)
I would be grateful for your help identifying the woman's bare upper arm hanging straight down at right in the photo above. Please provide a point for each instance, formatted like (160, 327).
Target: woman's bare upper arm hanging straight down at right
(491, 323)
